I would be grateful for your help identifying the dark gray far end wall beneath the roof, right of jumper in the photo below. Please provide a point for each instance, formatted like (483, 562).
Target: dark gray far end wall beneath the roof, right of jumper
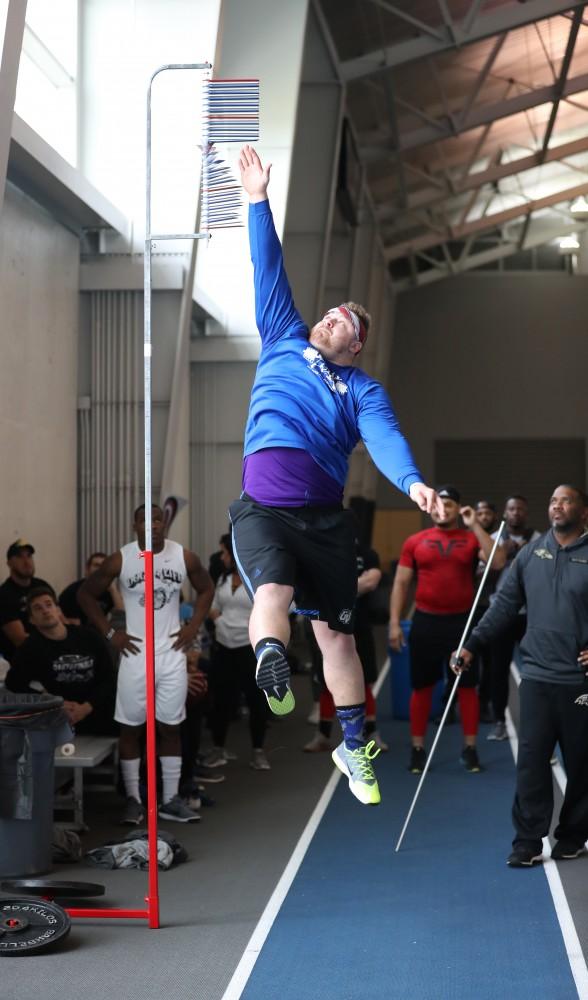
(490, 356)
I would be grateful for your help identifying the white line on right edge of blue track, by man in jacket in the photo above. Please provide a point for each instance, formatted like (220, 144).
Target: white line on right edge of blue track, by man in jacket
(560, 903)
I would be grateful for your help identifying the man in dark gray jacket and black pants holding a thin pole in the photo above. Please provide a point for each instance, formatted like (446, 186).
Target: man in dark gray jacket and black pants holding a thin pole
(550, 576)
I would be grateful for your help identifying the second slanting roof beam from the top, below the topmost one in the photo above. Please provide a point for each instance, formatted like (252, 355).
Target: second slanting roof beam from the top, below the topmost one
(477, 117)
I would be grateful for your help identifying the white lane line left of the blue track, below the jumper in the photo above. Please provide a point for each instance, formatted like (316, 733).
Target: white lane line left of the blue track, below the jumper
(257, 940)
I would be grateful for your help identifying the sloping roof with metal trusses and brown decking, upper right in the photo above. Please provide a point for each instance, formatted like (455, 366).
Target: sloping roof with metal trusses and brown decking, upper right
(471, 124)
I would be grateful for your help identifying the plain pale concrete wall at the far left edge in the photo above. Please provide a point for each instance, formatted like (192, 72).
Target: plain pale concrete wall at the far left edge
(38, 380)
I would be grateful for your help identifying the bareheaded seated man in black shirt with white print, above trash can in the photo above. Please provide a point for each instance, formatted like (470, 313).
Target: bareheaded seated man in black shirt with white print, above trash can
(66, 660)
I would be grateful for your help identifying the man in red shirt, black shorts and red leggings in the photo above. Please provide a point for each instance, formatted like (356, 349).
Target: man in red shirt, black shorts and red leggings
(443, 559)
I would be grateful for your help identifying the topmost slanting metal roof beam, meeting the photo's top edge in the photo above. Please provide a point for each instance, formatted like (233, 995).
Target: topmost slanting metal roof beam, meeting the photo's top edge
(472, 29)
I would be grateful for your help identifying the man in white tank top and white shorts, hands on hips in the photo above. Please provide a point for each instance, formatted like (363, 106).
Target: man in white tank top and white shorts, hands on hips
(171, 565)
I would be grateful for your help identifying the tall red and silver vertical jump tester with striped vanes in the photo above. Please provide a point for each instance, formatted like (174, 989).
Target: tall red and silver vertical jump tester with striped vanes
(230, 113)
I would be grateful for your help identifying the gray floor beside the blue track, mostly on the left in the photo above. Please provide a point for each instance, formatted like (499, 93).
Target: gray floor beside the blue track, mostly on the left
(210, 905)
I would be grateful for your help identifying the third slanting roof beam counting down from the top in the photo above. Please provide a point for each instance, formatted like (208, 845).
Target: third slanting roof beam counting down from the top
(426, 199)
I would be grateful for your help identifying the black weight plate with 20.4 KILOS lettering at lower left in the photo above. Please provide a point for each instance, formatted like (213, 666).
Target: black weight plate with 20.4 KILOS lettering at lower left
(28, 926)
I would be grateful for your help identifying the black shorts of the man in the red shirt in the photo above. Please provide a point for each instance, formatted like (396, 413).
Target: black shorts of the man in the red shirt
(431, 640)
